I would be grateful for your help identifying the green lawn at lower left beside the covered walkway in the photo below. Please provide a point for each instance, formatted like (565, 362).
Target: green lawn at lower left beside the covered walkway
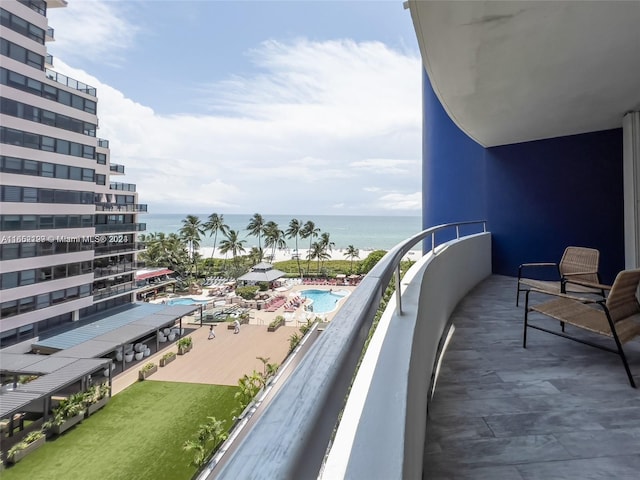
(139, 434)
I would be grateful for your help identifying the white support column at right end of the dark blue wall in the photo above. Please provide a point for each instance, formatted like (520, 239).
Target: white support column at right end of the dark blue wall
(631, 174)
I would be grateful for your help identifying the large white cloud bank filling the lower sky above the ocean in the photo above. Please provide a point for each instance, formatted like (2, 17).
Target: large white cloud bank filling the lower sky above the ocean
(324, 127)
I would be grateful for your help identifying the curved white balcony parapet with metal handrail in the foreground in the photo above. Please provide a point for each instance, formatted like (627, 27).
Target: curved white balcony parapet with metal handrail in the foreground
(382, 428)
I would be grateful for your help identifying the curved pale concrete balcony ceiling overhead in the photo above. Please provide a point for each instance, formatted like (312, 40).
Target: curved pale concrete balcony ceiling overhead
(509, 72)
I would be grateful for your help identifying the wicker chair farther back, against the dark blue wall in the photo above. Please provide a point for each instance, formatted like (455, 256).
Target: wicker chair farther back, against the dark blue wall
(577, 273)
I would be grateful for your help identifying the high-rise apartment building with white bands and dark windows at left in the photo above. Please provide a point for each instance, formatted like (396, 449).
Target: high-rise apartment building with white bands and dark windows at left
(67, 230)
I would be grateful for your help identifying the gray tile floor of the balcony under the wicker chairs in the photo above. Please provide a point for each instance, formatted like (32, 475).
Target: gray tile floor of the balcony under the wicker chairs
(555, 410)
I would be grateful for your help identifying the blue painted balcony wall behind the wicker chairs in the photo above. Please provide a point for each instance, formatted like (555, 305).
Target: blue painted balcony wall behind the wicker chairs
(538, 197)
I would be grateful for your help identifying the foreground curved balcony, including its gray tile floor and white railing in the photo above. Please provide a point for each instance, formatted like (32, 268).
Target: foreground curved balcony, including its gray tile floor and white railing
(557, 409)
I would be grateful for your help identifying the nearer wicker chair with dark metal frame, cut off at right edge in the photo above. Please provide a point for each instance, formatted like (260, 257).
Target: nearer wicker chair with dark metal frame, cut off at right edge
(617, 316)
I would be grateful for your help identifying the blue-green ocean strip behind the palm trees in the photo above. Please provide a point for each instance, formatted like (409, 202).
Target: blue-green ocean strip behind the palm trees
(363, 232)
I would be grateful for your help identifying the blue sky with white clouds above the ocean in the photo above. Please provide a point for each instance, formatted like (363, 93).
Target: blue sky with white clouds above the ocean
(276, 107)
